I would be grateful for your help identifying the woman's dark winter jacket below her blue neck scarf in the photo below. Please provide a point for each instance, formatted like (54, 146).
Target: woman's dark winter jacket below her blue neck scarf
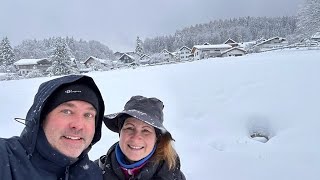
(112, 171)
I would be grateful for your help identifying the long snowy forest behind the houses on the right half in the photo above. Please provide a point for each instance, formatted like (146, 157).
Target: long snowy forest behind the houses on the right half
(241, 29)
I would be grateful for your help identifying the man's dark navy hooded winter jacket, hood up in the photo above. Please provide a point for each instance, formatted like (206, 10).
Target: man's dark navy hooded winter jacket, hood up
(30, 156)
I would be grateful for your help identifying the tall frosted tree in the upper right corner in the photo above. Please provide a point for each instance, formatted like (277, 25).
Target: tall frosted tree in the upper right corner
(308, 19)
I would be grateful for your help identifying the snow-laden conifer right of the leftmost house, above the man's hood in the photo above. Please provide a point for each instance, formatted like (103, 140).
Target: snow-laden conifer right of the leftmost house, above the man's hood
(61, 60)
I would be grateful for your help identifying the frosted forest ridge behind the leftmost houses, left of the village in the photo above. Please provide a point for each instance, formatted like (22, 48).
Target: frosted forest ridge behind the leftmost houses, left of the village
(78, 49)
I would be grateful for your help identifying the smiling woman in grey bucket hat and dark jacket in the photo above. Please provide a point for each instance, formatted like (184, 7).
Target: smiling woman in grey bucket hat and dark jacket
(144, 150)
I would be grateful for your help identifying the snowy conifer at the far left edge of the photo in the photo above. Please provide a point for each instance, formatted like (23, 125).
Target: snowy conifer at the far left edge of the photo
(7, 57)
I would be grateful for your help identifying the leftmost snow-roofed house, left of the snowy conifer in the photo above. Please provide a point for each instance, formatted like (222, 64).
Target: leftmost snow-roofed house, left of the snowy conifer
(27, 65)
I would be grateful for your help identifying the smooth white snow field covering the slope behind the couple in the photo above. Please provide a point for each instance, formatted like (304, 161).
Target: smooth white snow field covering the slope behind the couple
(212, 107)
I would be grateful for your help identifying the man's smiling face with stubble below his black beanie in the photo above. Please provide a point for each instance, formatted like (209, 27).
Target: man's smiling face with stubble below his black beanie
(70, 127)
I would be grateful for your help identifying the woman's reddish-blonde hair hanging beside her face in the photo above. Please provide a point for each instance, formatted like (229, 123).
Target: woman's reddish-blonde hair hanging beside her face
(165, 151)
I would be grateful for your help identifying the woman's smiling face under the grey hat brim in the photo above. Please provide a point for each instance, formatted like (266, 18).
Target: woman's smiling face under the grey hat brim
(137, 139)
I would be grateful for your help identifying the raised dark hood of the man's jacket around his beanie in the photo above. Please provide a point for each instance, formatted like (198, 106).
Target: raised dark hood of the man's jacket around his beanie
(33, 119)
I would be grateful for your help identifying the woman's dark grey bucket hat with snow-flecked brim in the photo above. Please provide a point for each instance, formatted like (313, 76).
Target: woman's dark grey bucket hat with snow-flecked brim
(148, 110)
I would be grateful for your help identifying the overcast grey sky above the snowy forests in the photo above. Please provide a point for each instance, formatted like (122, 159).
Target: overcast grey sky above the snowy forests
(117, 23)
